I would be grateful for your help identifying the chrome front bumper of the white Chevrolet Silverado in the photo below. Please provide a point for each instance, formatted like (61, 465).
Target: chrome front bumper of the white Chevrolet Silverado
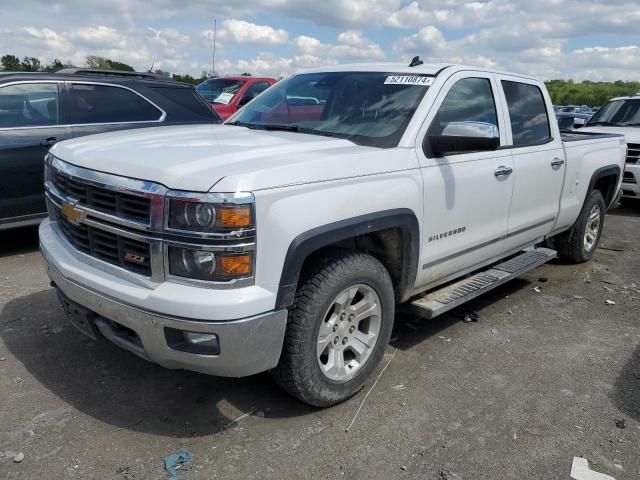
(246, 346)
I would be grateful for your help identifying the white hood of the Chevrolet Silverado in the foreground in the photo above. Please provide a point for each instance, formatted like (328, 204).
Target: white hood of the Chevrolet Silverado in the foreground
(195, 158)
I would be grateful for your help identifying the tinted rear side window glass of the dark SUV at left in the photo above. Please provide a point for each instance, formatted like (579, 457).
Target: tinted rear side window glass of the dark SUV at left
(104, 104)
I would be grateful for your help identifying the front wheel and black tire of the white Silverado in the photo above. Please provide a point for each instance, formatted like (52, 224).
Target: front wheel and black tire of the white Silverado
(338, 328)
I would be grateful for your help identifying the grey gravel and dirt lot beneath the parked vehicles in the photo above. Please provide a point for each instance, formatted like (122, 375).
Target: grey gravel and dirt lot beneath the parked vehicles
(540, 378)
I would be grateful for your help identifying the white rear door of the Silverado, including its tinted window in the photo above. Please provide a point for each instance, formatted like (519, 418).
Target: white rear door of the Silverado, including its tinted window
(538, 159)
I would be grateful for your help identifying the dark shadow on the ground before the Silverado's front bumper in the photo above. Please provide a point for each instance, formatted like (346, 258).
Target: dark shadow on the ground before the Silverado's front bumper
(120, 389)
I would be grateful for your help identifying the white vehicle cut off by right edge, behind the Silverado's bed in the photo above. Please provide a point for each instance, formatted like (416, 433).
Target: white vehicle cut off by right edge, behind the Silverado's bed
(622, 116)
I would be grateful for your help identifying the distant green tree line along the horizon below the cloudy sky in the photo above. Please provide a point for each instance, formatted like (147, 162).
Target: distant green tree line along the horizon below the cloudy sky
(563, 92)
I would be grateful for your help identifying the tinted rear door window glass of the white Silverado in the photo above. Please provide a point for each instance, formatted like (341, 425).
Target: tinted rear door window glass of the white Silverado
(528, 113)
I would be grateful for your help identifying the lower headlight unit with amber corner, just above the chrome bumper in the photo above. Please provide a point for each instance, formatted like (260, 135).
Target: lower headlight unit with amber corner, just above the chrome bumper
(208, 265)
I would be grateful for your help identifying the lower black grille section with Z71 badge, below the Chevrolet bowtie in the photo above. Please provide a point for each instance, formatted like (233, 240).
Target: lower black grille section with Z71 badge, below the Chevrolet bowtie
(133, 255)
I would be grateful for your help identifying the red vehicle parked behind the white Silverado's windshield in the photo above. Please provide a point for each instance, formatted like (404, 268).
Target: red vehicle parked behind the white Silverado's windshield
(228, 94)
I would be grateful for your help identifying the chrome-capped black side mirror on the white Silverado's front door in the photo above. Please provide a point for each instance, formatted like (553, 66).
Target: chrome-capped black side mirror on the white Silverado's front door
(464, 137)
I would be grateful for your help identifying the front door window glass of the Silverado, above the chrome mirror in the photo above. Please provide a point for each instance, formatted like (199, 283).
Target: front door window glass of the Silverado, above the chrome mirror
(469, 100)
